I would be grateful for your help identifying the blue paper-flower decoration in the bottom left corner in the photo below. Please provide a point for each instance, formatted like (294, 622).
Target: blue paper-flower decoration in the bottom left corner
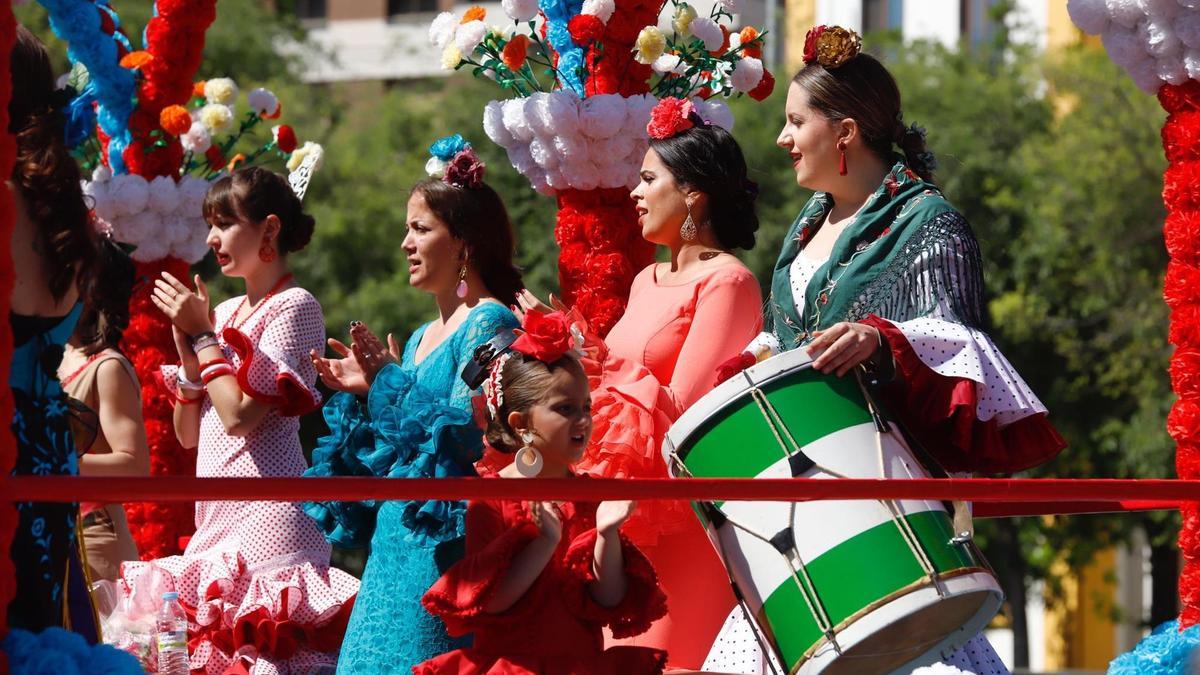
(64, 653)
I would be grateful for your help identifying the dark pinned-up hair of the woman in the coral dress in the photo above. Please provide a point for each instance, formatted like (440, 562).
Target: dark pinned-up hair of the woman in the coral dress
(706, 158)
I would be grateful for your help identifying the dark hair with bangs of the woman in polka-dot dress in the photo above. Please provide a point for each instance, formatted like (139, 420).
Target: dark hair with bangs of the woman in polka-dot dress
(254, 194)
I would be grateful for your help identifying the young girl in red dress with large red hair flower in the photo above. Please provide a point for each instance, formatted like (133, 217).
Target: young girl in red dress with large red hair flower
(541, 581)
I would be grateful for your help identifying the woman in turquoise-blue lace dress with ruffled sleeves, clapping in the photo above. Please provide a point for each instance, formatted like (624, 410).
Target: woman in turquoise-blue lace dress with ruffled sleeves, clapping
(409, 415)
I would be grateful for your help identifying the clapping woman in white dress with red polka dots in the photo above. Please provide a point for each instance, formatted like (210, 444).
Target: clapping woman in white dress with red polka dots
(255, 578)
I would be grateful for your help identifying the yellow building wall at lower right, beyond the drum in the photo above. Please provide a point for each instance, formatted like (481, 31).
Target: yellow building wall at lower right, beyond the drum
(1081, 632)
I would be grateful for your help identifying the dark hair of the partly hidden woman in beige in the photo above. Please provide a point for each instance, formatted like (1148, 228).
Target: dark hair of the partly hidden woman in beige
(106, 308)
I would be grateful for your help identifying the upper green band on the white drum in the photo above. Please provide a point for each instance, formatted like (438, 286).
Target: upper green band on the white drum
(739, 443)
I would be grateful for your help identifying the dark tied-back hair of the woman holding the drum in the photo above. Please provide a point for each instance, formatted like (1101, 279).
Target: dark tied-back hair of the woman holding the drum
(863, 89)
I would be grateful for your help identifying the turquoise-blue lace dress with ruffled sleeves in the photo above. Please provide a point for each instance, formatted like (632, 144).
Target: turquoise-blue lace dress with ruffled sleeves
(417, 422)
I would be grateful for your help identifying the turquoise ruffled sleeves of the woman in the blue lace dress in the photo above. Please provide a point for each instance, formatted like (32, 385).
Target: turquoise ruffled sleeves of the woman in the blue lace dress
(404, 432)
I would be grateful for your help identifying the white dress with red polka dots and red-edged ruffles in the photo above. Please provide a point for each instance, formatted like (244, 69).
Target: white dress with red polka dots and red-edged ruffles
(255, 578)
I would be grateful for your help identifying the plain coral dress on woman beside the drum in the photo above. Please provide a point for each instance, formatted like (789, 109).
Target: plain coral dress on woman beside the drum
(659, 360)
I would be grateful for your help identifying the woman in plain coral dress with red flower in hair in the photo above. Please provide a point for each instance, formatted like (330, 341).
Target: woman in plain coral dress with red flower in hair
(685, 319)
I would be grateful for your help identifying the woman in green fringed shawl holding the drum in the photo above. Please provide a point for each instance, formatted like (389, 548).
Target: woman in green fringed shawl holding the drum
(880, 271)
